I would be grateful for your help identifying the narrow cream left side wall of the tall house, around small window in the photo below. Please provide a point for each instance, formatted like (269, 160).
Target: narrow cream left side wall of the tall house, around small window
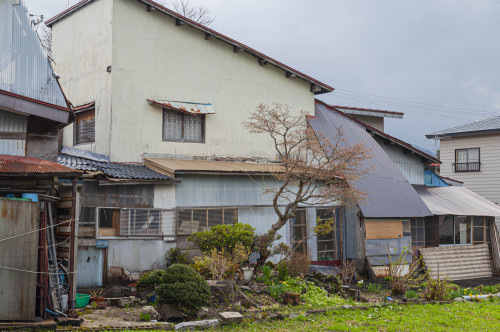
(82, 52)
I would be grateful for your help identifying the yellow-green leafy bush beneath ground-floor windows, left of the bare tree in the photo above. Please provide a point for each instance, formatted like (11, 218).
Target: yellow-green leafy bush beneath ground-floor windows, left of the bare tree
(224, 237)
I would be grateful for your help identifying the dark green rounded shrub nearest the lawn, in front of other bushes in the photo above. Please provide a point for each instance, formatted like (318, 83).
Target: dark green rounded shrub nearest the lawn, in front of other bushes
(183, 287)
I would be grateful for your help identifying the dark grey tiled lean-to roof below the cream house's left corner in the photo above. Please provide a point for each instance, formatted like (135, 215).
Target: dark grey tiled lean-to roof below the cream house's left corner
(112, 170)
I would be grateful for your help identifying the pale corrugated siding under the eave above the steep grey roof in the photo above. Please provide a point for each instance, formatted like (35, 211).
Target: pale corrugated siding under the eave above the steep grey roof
(409, 164)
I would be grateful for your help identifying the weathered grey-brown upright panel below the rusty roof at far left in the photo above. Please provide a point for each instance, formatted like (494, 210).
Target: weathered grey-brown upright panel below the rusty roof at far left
(19, 255)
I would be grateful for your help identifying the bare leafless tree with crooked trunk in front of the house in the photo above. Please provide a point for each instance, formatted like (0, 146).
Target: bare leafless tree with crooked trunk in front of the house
(317, 169)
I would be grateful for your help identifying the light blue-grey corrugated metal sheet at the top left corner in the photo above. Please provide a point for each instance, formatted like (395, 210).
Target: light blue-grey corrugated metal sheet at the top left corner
(24, 68)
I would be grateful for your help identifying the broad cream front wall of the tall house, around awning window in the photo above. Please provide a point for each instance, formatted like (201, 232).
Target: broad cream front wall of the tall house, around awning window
(154, 58)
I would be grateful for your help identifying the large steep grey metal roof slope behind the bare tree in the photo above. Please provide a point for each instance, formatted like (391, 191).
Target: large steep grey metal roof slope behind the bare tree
(389, 193)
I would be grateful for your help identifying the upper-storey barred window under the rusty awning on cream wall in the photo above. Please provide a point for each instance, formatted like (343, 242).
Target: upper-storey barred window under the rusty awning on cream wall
(183, 127)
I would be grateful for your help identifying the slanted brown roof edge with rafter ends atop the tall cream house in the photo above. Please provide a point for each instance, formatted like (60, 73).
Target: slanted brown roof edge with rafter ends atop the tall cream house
(316, 86)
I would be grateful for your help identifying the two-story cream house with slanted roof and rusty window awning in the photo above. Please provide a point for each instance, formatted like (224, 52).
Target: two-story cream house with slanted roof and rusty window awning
(161, 90)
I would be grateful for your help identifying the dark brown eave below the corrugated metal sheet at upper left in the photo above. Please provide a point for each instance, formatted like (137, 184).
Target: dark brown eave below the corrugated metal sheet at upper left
(29, 106)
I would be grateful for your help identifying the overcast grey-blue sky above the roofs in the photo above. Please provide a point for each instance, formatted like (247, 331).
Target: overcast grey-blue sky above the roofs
(436, 61)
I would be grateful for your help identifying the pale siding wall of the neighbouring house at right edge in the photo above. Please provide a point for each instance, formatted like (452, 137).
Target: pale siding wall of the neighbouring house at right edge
(486, 182)
